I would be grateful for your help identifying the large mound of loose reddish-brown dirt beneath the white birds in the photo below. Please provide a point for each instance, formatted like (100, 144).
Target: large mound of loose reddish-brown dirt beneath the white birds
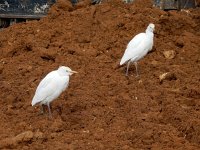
(103, 109)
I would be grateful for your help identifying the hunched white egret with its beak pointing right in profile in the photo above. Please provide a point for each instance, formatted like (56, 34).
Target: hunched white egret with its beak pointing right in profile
(52, 86)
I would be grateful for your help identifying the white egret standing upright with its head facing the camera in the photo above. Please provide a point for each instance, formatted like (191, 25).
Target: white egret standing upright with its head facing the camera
(138, 47)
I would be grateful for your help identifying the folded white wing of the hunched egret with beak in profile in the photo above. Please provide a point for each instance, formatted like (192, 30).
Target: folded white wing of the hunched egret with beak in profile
(45, 88)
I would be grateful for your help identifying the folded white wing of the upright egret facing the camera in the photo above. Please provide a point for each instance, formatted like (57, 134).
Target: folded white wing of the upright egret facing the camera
(132, 48)
